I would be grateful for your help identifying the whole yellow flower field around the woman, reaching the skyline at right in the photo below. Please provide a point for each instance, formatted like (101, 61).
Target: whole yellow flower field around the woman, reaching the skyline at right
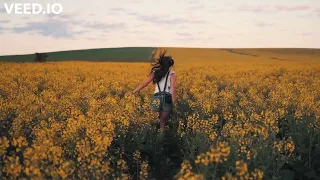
(236, 117)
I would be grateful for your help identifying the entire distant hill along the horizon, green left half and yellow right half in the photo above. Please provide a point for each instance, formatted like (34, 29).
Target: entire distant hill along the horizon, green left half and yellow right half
(181, 55)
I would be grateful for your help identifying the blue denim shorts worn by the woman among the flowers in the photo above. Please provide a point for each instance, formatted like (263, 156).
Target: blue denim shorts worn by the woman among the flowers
(161, 101)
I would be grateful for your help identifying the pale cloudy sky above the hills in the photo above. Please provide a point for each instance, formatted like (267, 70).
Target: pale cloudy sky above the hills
(87, 24)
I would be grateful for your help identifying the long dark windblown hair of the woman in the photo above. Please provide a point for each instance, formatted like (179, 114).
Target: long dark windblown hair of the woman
(161, 66)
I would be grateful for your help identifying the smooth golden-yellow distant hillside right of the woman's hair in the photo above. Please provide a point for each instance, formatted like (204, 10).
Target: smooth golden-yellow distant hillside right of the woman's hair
(197, 55)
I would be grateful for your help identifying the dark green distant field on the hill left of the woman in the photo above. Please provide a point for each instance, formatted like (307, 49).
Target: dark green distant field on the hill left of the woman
(134, 54)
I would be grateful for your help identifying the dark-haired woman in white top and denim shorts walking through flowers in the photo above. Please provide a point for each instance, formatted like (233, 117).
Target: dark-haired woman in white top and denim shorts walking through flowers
(164, 96)
